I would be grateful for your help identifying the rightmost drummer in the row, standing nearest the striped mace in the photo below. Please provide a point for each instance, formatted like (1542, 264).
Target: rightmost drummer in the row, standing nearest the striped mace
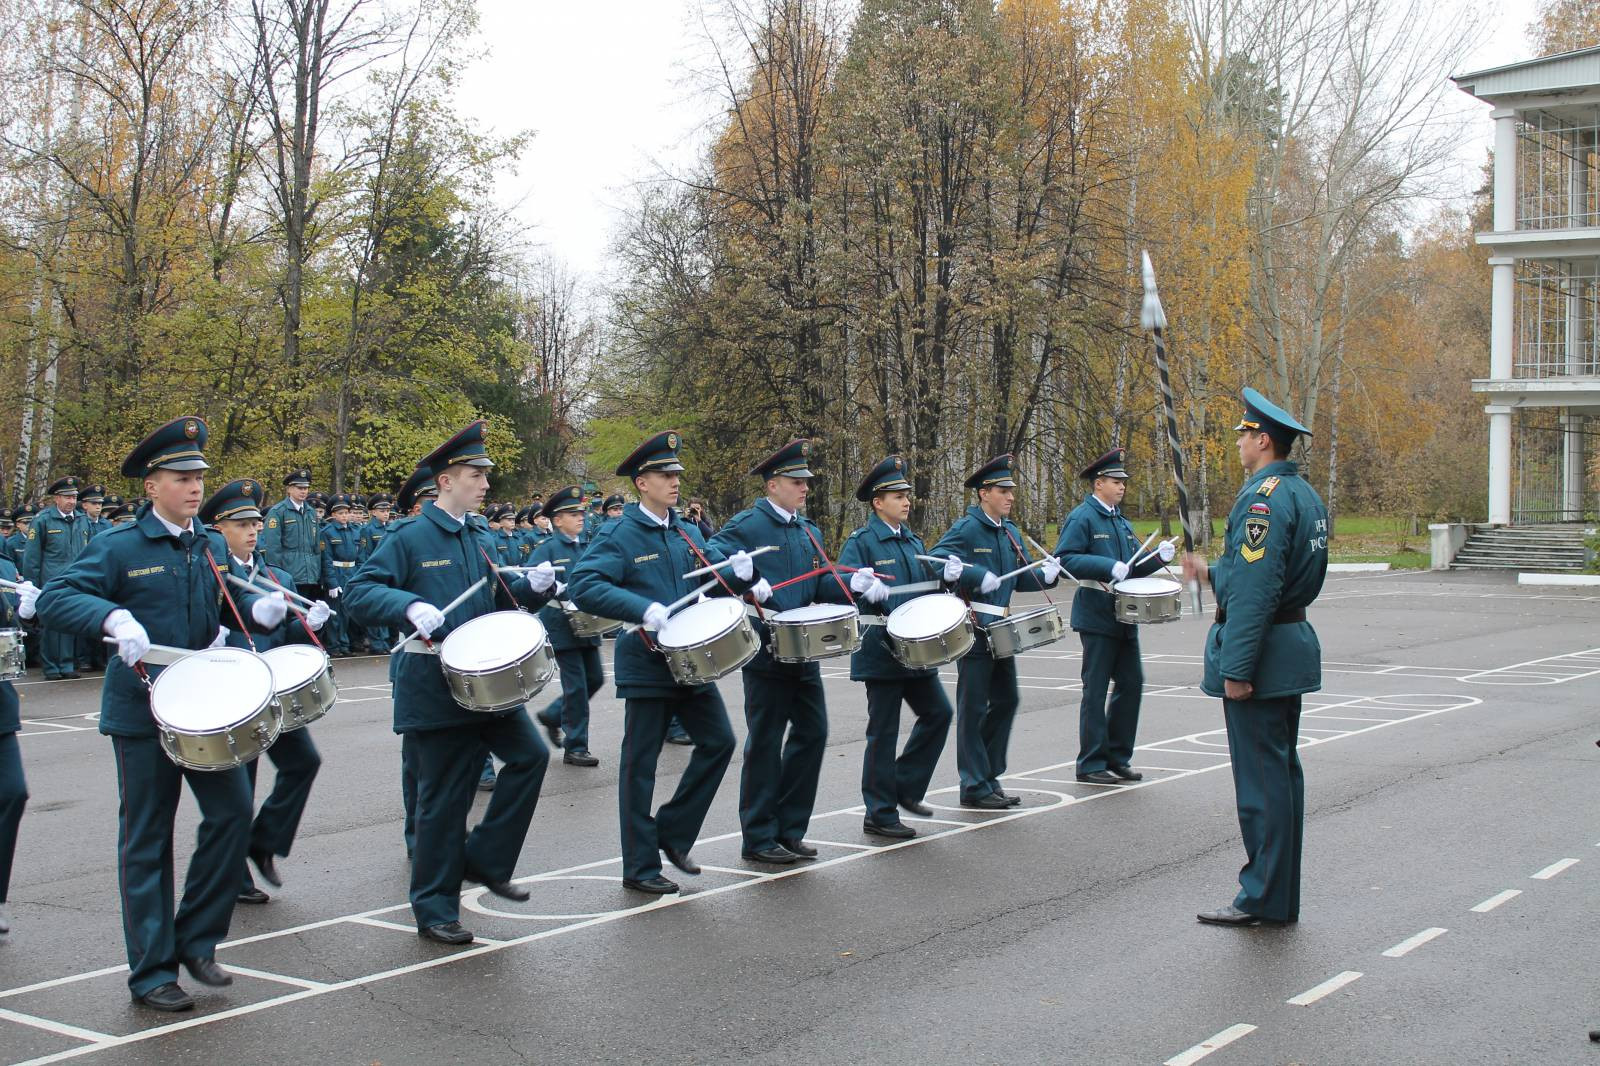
(1098, 545)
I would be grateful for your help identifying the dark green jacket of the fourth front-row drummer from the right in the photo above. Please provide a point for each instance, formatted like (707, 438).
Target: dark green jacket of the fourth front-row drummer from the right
(798, 553)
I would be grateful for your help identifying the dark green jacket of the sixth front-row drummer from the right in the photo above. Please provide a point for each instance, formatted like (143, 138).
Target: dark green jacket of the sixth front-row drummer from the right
(433, 559)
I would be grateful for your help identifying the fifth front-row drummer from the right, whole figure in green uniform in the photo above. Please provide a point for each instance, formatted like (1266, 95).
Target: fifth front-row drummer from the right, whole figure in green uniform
(631, 572)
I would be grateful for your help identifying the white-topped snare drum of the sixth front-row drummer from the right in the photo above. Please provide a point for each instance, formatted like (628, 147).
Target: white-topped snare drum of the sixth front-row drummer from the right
(497, 662)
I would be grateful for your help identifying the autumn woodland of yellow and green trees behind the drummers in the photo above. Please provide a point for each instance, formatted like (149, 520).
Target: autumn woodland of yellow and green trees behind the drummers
(916, 230)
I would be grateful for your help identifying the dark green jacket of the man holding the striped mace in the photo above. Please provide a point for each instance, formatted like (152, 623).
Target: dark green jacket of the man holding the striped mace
(1274, 559)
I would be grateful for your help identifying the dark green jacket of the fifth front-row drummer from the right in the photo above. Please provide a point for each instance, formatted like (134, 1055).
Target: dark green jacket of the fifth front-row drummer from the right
(636, 563)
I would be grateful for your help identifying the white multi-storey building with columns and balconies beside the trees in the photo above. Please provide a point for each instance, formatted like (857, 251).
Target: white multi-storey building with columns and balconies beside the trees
(1545, 345)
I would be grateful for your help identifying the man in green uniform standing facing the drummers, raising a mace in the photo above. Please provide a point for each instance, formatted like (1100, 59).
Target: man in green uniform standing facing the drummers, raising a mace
(1262, 655)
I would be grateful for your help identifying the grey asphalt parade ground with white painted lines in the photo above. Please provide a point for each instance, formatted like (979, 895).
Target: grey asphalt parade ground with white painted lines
(1449, 902)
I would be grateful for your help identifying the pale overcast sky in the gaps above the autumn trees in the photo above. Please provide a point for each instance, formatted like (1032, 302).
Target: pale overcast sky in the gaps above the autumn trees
(607, 89)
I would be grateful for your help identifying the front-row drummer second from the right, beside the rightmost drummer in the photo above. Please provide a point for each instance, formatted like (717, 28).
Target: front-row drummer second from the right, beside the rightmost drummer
(986, 694)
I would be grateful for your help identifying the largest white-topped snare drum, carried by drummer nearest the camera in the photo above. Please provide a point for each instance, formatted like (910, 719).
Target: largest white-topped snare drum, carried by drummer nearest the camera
(215, 710)
